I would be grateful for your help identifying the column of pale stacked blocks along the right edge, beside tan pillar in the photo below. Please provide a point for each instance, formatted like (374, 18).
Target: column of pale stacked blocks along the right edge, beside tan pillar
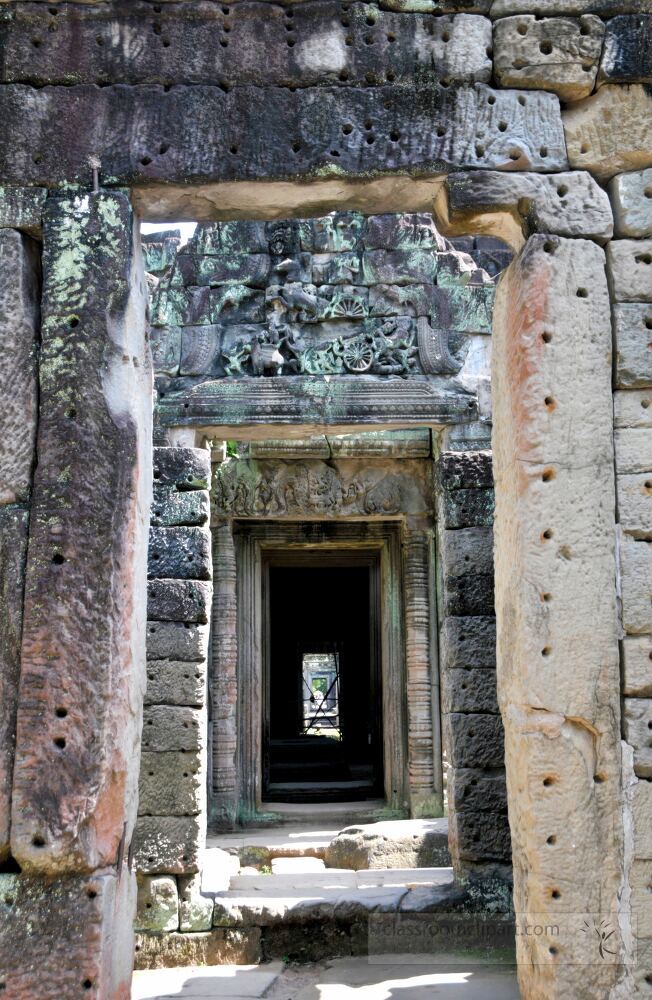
(629, 263)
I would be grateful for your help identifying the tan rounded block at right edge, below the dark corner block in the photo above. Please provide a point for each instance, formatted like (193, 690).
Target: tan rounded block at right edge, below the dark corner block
(611, 131)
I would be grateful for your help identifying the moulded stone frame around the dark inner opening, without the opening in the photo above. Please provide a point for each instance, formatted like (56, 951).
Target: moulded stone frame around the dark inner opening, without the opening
(251, 540)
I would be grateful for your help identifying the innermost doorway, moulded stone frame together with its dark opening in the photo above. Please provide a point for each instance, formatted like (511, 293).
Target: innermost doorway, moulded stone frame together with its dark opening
(362, 661)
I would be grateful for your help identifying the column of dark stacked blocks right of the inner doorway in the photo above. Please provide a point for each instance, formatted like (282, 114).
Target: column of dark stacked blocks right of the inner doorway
(472, 727)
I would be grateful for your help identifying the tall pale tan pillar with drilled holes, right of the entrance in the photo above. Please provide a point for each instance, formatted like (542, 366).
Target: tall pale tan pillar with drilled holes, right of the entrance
(558, 673)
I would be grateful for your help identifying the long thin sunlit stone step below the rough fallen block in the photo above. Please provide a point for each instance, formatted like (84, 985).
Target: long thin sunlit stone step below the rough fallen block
(309, 882)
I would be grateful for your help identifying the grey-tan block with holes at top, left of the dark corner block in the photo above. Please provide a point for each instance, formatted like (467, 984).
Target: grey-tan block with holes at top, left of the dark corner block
(559, 54)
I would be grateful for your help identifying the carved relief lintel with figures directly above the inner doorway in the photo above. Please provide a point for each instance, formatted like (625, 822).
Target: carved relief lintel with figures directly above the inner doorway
(244, 488)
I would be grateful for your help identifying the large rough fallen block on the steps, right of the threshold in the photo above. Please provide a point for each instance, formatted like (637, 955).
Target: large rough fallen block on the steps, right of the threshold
(393, 844)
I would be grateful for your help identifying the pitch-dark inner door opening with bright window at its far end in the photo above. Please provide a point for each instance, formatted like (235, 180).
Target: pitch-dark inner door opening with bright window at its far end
(322, 713)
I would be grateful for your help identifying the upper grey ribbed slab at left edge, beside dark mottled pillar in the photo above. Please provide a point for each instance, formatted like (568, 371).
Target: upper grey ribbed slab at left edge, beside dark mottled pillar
(19, 315)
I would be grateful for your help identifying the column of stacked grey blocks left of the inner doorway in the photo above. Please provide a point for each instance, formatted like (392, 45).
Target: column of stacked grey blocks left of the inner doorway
(171, 826)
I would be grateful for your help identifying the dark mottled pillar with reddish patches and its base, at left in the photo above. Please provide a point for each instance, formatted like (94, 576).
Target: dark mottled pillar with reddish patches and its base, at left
(68, 931)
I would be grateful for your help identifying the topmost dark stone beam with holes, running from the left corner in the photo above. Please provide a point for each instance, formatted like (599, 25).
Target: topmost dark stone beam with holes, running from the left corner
(326, 47)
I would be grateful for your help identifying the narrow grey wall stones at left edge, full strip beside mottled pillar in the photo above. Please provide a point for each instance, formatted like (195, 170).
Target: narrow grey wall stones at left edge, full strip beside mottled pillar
(19, 309)
